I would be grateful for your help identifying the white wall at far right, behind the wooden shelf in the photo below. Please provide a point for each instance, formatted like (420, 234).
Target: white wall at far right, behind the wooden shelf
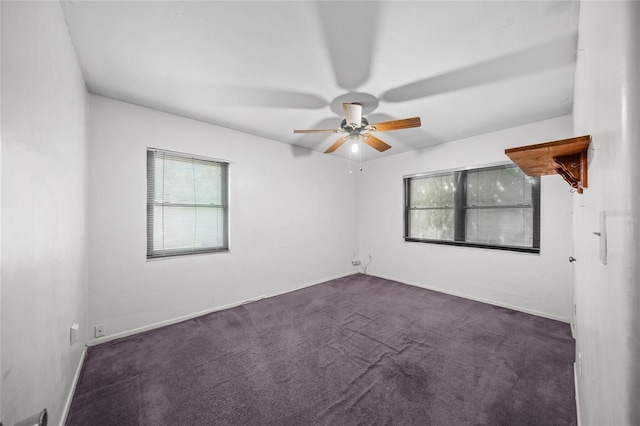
(607, 106)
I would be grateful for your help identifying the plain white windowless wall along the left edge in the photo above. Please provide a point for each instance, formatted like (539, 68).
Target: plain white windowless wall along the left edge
(44, 263)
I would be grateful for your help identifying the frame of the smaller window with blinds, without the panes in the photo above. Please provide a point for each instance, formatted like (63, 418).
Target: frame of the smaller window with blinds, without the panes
(152, 254)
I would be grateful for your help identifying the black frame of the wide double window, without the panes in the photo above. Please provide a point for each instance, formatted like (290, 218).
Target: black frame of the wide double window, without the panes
(460, 208)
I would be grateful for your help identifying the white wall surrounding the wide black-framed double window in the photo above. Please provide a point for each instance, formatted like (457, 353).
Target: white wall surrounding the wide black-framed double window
(539, 284)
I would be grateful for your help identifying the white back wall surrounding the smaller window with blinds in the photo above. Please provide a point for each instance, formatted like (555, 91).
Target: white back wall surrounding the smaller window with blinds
(291, 219)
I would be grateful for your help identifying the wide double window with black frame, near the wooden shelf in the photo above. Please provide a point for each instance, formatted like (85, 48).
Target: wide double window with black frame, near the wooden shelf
(492, 207)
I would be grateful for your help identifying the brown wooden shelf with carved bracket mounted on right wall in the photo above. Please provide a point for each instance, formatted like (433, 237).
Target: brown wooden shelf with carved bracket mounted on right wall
(566, 157)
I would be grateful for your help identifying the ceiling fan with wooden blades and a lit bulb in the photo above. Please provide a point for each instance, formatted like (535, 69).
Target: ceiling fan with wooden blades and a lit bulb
(355, 125)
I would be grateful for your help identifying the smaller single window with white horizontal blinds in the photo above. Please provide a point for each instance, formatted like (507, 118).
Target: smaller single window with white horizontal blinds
(187, 208)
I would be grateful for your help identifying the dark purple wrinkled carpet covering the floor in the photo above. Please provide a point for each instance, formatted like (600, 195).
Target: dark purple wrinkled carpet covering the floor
(359, 350)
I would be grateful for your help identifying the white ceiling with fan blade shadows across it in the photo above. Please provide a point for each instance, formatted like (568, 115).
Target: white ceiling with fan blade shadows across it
(266, 68)
